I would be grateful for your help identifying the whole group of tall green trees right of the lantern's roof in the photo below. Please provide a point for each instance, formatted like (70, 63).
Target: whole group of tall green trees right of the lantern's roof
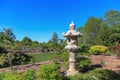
(102, 31)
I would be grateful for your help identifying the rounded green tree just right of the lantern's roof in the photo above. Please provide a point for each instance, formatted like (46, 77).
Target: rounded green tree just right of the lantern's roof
(91, 30)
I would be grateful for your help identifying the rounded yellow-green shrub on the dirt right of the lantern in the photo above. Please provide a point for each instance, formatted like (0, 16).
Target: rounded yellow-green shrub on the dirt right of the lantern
(98, 49)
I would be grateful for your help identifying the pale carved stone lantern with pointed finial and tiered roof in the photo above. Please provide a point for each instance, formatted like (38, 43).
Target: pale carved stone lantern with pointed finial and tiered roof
(72, 36)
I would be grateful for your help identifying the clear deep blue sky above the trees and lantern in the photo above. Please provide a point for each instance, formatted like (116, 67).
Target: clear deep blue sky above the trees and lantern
(39, 19)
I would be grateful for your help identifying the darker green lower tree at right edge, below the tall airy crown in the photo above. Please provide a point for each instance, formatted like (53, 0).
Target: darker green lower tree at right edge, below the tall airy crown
(110, 36)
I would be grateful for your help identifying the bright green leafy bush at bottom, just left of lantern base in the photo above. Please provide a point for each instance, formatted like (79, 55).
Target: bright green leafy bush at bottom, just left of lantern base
(49, 72)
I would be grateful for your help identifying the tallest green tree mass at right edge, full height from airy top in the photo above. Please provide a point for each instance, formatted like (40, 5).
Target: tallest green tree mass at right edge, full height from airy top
(110, 32)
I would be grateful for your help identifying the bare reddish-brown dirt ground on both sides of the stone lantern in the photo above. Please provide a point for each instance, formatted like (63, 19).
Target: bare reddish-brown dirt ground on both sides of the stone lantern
(111, 62)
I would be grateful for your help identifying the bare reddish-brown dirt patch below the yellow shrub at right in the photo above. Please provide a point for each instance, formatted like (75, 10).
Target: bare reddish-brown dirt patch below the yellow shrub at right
(111, 62)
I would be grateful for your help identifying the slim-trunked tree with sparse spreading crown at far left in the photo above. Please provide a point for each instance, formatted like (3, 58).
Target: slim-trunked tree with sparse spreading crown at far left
(8, 39)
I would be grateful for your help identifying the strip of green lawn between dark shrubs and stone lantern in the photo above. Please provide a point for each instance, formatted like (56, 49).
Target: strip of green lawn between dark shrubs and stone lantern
(43, 56)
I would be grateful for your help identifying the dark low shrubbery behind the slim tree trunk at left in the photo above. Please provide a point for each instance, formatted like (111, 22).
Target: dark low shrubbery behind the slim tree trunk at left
(17, 58)
